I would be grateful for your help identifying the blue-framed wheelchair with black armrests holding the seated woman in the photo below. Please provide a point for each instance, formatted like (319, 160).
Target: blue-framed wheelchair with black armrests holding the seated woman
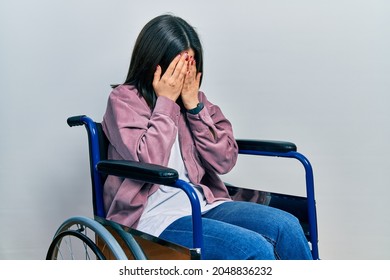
(98, 238)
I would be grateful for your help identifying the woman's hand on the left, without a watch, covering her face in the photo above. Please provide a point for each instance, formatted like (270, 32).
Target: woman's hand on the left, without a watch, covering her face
(170, 84)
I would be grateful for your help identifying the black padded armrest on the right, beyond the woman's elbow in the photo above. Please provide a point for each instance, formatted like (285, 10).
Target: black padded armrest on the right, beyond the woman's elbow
(271, 146)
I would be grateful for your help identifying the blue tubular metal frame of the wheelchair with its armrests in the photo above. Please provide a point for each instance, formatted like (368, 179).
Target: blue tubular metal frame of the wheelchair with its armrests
(161, 175)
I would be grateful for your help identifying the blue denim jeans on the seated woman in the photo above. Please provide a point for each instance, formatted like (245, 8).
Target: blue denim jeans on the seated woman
(244, 231)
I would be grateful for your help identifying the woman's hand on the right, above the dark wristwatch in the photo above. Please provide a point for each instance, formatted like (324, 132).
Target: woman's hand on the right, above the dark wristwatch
(189, 93)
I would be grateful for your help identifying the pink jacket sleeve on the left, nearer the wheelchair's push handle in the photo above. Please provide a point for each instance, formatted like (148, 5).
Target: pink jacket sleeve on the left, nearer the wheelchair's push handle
(136, 132)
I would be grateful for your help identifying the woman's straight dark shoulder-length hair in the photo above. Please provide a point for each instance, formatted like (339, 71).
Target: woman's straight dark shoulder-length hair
(158, 43)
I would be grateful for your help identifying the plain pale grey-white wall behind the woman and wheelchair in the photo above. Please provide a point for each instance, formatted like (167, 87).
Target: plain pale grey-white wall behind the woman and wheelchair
(312, 72)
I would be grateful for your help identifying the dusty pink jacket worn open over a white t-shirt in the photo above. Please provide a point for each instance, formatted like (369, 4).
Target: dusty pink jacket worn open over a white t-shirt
(137, 133)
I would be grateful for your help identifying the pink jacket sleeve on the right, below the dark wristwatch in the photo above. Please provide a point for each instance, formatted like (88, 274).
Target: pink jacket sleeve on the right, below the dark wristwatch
(213, 136)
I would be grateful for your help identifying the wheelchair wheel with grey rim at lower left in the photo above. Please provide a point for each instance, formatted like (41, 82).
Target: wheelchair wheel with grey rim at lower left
(76, 239)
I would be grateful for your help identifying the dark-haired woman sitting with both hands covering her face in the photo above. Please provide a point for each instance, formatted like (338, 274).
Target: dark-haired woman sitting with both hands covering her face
(159, 116)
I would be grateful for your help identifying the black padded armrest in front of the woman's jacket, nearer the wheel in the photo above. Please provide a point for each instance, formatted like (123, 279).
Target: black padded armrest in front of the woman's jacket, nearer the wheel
(139, 171)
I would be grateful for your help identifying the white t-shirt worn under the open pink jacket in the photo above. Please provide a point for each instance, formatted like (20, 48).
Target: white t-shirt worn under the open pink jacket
(168, 204)
